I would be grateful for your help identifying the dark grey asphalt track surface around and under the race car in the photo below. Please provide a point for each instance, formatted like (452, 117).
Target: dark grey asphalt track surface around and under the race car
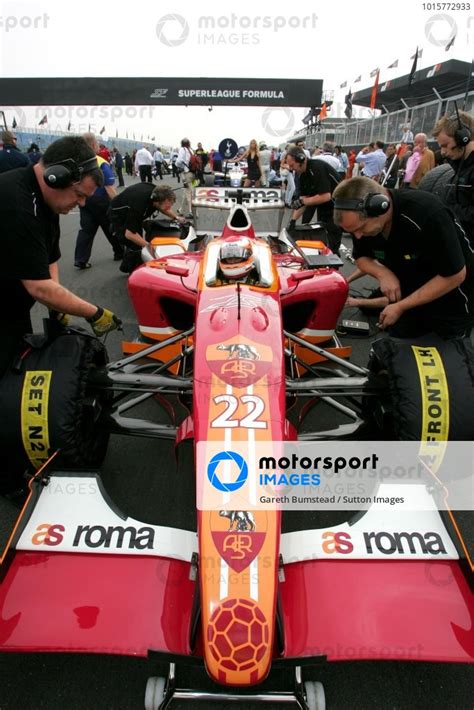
(134, 478)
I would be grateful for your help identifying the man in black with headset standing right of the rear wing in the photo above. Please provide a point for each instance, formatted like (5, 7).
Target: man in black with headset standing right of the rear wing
(317, 182)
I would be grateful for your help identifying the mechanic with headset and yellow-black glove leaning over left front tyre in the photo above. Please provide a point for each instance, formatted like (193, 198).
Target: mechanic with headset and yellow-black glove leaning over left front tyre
(29, 233)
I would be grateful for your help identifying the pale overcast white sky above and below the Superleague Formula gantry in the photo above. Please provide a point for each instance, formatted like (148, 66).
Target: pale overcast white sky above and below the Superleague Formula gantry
(334, 41)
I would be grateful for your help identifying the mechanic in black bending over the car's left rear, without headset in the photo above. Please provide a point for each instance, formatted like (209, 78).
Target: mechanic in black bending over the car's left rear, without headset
(130, 208)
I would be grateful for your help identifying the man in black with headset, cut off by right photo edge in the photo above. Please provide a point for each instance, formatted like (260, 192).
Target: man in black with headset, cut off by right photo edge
(455, 136)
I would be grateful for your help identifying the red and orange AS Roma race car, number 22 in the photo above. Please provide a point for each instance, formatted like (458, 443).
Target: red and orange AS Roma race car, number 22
(237, 344)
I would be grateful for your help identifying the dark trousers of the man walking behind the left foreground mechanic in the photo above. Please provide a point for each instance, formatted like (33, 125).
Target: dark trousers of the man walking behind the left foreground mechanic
(93, 216)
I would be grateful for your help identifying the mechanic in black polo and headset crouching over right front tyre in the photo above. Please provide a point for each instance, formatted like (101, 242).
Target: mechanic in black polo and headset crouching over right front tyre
(417, 250)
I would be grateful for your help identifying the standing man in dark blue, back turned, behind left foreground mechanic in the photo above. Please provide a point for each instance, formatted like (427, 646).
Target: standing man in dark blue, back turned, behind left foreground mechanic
(94, 213)
